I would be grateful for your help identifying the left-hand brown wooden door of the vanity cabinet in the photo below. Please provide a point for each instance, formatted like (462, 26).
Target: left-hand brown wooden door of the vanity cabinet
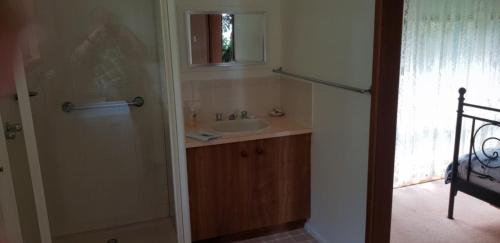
(218, 185)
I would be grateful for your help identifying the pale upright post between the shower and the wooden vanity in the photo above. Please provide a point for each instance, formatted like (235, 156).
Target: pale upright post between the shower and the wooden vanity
(171, 86)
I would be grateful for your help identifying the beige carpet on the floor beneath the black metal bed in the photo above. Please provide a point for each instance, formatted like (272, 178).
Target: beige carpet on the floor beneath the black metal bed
(419, 215)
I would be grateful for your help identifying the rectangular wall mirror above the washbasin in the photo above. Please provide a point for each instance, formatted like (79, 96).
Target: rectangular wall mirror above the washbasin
(225, 39)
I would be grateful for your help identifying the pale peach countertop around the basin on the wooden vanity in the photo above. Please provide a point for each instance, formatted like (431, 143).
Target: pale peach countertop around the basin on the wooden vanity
(278, 127)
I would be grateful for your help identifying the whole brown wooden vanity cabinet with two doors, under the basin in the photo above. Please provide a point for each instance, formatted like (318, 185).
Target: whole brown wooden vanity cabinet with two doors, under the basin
(245, 186)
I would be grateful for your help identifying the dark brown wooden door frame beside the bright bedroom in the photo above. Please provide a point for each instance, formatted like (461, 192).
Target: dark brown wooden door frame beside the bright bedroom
(383, 120)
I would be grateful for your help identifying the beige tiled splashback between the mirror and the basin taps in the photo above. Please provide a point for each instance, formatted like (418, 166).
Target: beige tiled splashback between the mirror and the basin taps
(258, 96)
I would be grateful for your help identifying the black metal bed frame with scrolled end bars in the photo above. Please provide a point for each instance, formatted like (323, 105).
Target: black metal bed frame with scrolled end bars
(464, 185)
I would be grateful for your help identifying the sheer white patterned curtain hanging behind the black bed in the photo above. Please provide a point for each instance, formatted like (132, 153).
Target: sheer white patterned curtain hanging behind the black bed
(447, 44)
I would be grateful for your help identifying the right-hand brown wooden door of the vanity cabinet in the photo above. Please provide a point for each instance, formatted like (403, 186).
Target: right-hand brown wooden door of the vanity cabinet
(279, 182)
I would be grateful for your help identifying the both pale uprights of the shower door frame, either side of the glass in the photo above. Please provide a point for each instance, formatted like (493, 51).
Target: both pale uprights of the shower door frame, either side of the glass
(171, 107)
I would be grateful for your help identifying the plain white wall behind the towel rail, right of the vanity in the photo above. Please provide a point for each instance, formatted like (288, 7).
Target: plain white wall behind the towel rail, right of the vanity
(332, 40)
